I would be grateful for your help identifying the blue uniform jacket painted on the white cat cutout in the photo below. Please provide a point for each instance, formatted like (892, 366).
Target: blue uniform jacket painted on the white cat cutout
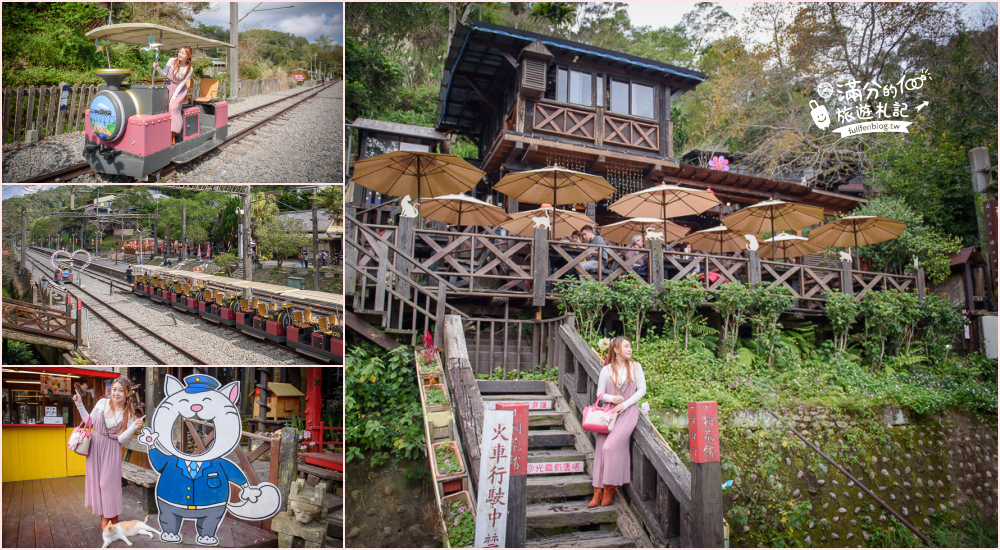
(209, 486)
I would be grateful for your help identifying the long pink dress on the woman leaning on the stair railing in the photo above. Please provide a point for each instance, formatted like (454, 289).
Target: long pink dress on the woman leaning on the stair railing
(612, 459)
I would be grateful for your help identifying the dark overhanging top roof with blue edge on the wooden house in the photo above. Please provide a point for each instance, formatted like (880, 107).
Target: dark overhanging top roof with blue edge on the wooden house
(480, 50)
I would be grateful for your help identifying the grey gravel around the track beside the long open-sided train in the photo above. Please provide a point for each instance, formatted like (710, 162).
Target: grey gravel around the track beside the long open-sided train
(215, 344)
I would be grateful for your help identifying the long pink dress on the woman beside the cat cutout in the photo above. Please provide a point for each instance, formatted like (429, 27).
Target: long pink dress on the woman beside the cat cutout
(103, 484)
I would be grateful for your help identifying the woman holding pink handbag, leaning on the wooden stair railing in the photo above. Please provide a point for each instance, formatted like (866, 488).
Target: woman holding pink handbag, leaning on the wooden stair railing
(623, 383)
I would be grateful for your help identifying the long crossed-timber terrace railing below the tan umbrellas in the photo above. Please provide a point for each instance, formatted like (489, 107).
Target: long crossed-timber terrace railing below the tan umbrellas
(449, 263)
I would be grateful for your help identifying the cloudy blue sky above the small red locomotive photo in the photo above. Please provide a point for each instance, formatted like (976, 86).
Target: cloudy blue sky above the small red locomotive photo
(307, 19)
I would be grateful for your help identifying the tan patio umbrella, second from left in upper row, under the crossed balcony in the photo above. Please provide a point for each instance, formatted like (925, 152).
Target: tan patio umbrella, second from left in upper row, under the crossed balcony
(555, 186)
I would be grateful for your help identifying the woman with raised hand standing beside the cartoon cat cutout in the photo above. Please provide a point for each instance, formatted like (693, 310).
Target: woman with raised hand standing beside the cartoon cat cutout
(114, 422)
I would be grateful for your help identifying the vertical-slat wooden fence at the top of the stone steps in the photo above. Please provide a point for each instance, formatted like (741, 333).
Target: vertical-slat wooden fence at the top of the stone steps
(505, 337)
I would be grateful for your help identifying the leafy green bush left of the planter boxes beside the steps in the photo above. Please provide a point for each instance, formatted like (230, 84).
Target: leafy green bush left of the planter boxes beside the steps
(382, 407)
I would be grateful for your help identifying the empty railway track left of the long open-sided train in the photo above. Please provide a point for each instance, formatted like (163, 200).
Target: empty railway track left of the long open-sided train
(167, 352)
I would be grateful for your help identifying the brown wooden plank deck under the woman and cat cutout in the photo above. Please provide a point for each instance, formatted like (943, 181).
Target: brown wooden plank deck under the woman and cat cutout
(49, 513)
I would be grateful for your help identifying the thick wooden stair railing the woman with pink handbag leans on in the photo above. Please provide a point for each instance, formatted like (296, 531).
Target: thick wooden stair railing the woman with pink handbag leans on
(660, 491)
